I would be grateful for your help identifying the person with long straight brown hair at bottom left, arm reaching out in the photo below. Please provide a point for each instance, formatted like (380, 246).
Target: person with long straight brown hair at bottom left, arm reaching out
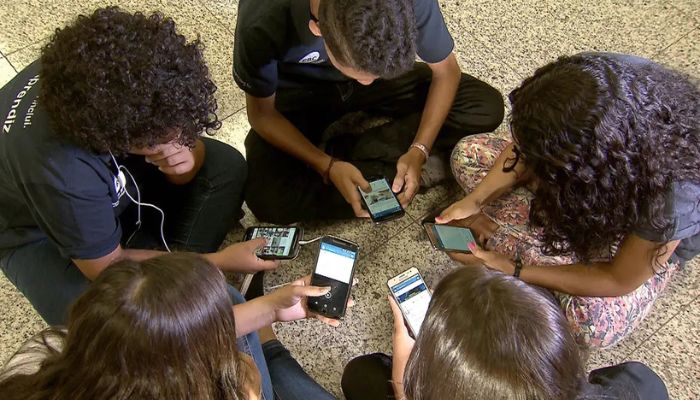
(163, 328)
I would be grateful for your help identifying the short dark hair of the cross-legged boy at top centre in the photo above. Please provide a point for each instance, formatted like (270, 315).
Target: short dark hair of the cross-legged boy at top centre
(374, 36)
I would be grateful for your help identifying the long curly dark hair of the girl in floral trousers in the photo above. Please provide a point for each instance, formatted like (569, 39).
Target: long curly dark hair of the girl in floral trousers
(606, 139)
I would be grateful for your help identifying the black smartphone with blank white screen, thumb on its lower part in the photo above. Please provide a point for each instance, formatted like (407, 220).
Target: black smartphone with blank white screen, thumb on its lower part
(335, 267)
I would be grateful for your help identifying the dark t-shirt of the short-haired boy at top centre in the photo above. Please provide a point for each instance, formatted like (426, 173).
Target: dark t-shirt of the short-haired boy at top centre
(274, 47)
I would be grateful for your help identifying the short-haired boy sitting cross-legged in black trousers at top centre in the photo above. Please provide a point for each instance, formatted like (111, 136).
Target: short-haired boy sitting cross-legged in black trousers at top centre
(305, 64)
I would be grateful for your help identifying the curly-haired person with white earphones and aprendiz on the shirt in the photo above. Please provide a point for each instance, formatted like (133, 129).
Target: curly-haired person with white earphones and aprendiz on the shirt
(110, 115)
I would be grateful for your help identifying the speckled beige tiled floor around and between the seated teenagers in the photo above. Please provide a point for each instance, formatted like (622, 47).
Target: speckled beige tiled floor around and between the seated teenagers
(498, 41)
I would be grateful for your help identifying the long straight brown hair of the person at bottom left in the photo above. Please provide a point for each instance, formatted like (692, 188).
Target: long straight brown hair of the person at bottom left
(158, 329)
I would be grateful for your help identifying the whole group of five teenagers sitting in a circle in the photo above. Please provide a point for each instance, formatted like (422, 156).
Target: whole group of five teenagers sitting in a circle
(114, 207)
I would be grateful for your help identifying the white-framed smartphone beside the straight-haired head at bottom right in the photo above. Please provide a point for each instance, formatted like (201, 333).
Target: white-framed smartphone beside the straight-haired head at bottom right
(413, 297)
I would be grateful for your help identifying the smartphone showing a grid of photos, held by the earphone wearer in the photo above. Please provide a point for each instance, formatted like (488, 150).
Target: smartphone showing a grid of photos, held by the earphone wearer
(283, 241)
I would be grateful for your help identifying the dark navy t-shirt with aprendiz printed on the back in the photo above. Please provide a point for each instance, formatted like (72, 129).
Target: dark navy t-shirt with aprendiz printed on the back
(50, 188)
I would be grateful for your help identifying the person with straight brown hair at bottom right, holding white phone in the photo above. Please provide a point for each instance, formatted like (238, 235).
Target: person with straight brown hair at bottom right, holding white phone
(488, 335)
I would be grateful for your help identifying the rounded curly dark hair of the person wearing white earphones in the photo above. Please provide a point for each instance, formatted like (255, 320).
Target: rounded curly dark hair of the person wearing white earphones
(116, 81)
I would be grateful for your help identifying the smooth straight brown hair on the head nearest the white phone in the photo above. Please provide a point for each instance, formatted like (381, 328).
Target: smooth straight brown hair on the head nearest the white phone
(491, 336)
